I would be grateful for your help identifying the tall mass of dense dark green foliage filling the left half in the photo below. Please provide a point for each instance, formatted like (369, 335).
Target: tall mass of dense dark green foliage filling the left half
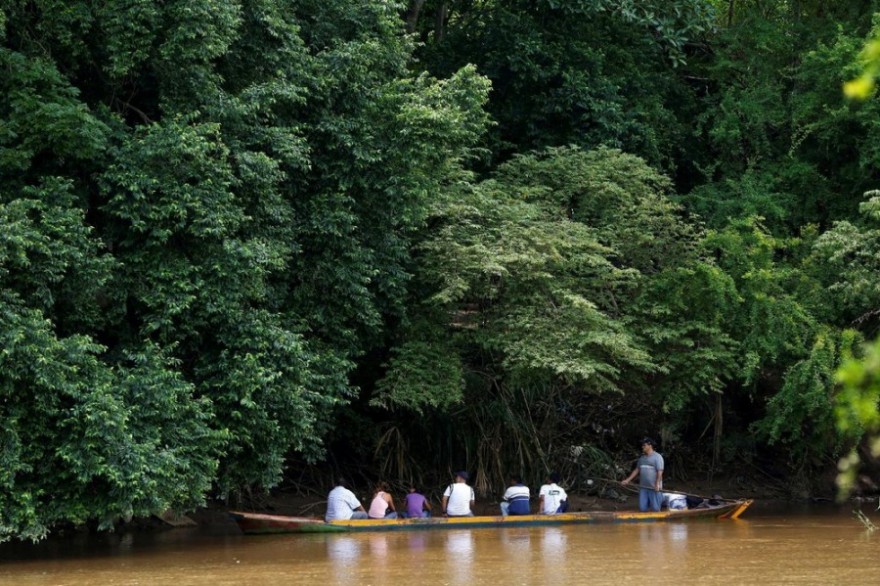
(207, 210)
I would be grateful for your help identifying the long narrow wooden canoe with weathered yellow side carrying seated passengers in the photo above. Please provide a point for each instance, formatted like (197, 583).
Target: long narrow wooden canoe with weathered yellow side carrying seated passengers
(255, 523)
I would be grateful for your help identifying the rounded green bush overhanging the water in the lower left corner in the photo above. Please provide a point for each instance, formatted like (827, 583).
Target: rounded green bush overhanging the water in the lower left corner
(92, 441)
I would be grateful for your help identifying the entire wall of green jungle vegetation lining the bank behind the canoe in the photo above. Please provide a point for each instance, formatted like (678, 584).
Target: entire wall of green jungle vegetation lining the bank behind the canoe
(240, 239)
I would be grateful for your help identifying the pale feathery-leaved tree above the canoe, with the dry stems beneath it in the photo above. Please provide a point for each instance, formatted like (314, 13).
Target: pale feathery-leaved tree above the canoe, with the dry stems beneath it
(510, 326)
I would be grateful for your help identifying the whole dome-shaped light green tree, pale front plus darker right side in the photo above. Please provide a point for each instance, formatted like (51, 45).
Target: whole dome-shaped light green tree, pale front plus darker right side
(569, 275)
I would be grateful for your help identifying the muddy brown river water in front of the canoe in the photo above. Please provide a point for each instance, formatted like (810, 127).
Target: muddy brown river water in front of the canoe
(813, 546)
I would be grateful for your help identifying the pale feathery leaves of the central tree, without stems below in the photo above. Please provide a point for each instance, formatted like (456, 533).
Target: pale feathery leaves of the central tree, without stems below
(518, 287)
